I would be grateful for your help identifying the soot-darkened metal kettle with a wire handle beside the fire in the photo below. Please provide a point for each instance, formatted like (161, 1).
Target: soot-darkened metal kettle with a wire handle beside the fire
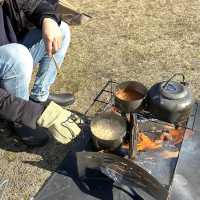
(170, 101)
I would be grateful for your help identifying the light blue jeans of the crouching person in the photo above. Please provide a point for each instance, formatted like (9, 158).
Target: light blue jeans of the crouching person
(17, 61)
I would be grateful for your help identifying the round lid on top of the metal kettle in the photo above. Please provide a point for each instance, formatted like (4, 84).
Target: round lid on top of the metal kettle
(173, 90)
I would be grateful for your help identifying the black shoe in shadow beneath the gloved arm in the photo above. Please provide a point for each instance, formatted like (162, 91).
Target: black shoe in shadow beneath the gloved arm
(31, 137)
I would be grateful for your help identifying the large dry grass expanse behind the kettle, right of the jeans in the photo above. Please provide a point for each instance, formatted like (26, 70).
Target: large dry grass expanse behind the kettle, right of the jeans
(145, 40)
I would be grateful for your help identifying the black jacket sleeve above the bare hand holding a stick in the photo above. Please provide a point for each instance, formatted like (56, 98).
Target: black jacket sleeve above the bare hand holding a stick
(37, 10)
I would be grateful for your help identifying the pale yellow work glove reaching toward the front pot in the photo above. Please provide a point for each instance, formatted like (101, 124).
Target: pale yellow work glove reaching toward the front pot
(59, 122)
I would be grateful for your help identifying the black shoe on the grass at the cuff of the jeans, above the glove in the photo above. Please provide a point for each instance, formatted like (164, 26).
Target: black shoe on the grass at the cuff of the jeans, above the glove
(64, 99)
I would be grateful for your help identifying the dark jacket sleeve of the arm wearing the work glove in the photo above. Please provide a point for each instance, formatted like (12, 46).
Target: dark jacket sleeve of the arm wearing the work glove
(18, 110)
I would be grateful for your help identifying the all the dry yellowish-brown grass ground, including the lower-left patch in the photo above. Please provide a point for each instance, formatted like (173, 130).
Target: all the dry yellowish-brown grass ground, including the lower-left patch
(144, 40)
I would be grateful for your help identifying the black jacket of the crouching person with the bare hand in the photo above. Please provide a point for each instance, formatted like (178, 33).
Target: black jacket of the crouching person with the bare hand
(24, 14)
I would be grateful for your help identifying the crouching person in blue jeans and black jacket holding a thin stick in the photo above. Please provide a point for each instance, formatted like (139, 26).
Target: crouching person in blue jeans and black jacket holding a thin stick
(31, 32)
